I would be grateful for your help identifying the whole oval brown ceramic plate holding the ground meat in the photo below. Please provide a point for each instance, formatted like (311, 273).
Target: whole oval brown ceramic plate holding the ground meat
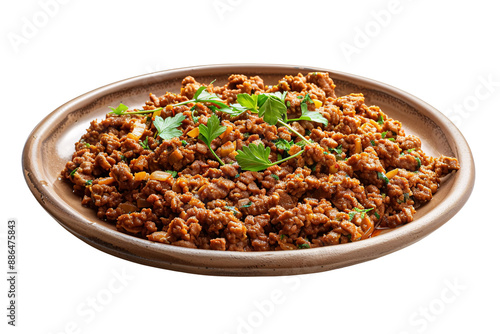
(51, 144)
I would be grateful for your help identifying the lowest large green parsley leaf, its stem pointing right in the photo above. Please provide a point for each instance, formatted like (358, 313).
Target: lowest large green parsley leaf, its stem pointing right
(256, 158)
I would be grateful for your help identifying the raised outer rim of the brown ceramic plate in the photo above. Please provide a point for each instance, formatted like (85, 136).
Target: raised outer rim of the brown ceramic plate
(256, 263)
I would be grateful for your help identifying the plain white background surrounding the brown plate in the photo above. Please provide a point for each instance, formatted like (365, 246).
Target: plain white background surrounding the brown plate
(440, 51)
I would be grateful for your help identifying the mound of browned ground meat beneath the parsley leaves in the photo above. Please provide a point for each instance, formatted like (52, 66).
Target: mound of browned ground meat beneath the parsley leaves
(358, 173)
